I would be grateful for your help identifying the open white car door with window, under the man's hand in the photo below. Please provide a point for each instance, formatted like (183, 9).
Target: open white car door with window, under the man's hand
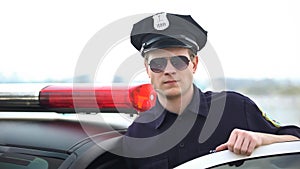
(274, 156)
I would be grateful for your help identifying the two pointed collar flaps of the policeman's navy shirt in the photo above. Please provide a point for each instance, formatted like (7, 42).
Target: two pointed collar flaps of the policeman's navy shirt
(198, 105)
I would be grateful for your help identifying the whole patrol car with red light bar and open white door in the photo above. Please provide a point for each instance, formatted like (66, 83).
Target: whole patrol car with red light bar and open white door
(80, 126)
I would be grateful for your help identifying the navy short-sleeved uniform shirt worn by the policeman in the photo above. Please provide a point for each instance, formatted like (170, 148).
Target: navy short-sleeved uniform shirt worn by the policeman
(162, 139)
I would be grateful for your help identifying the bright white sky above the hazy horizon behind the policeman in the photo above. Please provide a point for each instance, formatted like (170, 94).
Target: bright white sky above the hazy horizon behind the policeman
(42, 39)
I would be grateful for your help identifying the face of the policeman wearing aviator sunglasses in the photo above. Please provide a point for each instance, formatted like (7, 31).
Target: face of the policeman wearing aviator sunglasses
(170, 81)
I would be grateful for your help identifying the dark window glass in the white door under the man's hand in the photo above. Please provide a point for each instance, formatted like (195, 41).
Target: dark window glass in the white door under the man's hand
(290, 161)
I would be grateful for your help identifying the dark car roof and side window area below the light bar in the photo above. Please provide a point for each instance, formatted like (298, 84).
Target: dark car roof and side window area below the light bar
(56, 143)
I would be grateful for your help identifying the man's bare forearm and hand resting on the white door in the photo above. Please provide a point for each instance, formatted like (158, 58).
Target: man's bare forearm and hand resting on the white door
(244, 142)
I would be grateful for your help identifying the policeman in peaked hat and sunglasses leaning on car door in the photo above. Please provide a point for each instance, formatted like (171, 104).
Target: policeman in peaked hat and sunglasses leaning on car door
(186, 123)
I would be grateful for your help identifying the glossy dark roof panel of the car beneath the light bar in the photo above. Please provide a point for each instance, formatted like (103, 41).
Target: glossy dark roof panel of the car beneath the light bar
(59, 135)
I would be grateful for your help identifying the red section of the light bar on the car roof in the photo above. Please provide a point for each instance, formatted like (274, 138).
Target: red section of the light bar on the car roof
(107, 98)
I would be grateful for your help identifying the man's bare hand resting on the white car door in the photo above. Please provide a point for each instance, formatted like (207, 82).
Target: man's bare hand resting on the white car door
(241, 142)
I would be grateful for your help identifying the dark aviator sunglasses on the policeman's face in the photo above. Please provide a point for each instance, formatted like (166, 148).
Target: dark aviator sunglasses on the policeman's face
(158, 65)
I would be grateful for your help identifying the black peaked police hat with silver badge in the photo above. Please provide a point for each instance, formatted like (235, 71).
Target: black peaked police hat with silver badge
(164, 30)
